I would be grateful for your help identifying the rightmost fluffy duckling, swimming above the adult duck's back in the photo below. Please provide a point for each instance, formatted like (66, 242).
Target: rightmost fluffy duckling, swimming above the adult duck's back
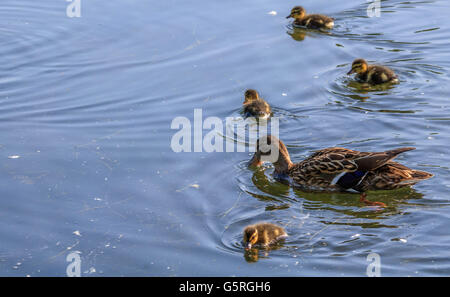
(373, 74)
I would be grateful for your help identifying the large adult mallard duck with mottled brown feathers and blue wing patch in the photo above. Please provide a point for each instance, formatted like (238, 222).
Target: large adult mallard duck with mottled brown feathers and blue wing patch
(339, 169)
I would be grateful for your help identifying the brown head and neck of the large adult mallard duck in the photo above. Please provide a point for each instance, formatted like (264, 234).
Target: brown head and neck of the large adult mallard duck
(271, 149)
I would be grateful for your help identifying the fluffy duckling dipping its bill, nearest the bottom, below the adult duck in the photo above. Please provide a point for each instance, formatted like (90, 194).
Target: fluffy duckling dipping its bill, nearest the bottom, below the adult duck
(263, 234)
